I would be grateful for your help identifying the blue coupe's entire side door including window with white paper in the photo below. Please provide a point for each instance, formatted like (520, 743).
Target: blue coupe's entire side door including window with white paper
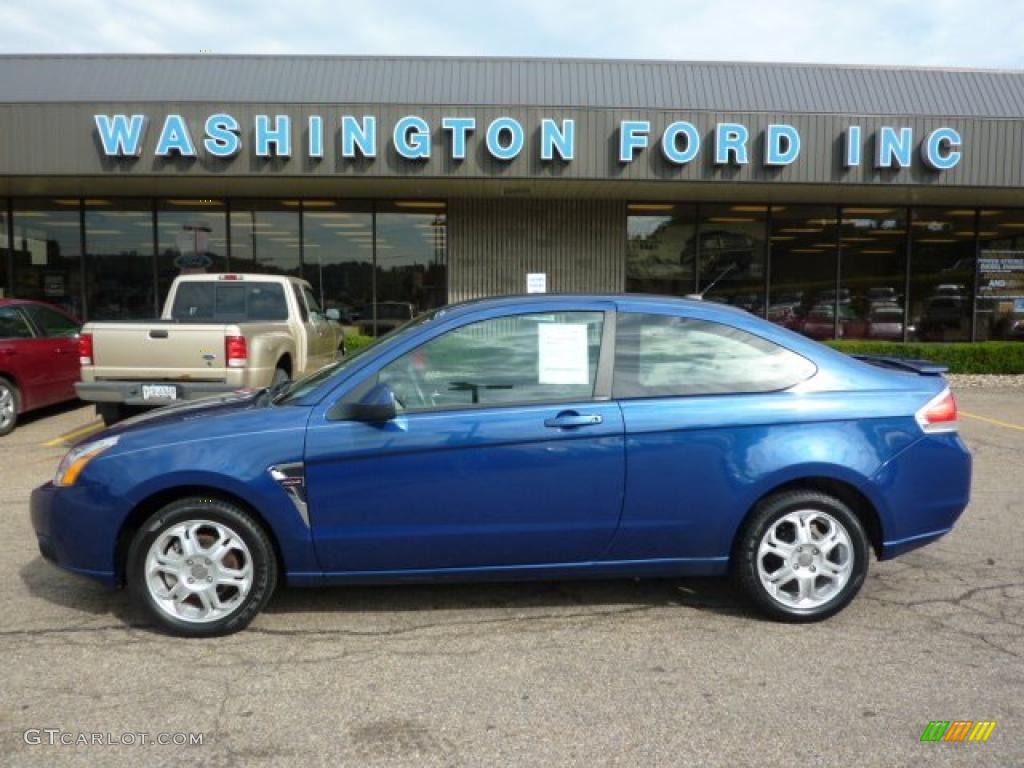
(506, 452)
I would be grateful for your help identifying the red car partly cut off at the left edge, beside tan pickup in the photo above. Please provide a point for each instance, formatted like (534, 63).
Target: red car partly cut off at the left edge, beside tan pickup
(38, 359)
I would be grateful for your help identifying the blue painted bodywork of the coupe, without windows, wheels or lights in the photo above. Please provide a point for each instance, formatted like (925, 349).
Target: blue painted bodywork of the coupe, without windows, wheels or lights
(659, 487)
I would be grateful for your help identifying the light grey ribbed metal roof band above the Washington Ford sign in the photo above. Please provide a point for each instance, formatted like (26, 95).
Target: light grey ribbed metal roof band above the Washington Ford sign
(625, 84)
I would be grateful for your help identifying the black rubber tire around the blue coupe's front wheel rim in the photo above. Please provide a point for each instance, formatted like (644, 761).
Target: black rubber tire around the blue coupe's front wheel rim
(241, 524)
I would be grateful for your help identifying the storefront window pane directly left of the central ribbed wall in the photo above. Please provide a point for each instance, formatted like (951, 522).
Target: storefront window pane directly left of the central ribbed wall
(411, 262)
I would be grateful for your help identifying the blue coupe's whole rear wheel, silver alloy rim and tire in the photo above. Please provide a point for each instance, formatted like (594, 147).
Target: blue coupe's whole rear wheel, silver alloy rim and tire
(802, 557)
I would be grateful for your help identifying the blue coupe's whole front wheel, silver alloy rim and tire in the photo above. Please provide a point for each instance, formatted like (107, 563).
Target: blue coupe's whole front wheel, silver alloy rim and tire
(202, 568)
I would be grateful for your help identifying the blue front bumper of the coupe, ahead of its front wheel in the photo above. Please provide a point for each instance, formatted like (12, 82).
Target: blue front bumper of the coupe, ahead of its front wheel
(66, 524)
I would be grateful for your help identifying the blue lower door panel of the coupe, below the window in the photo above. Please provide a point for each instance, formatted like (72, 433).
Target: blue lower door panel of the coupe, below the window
(465, 492)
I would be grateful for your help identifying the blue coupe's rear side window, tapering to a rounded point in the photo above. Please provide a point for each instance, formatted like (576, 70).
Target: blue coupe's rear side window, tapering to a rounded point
(663, 356)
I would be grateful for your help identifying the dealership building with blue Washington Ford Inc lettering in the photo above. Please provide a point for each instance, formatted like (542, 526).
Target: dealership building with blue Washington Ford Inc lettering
(840, 201)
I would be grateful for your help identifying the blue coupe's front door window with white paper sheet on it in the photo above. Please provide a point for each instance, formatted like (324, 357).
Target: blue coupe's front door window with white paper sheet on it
(523, 359)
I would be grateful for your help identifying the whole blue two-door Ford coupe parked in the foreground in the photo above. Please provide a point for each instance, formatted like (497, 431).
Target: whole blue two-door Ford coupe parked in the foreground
(525, 438)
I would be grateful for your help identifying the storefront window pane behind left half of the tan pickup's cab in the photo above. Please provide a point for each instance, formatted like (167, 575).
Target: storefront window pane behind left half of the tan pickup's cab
(192, 238)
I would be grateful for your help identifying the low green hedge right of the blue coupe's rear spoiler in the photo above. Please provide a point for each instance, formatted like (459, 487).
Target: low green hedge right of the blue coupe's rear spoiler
(980, 358)
